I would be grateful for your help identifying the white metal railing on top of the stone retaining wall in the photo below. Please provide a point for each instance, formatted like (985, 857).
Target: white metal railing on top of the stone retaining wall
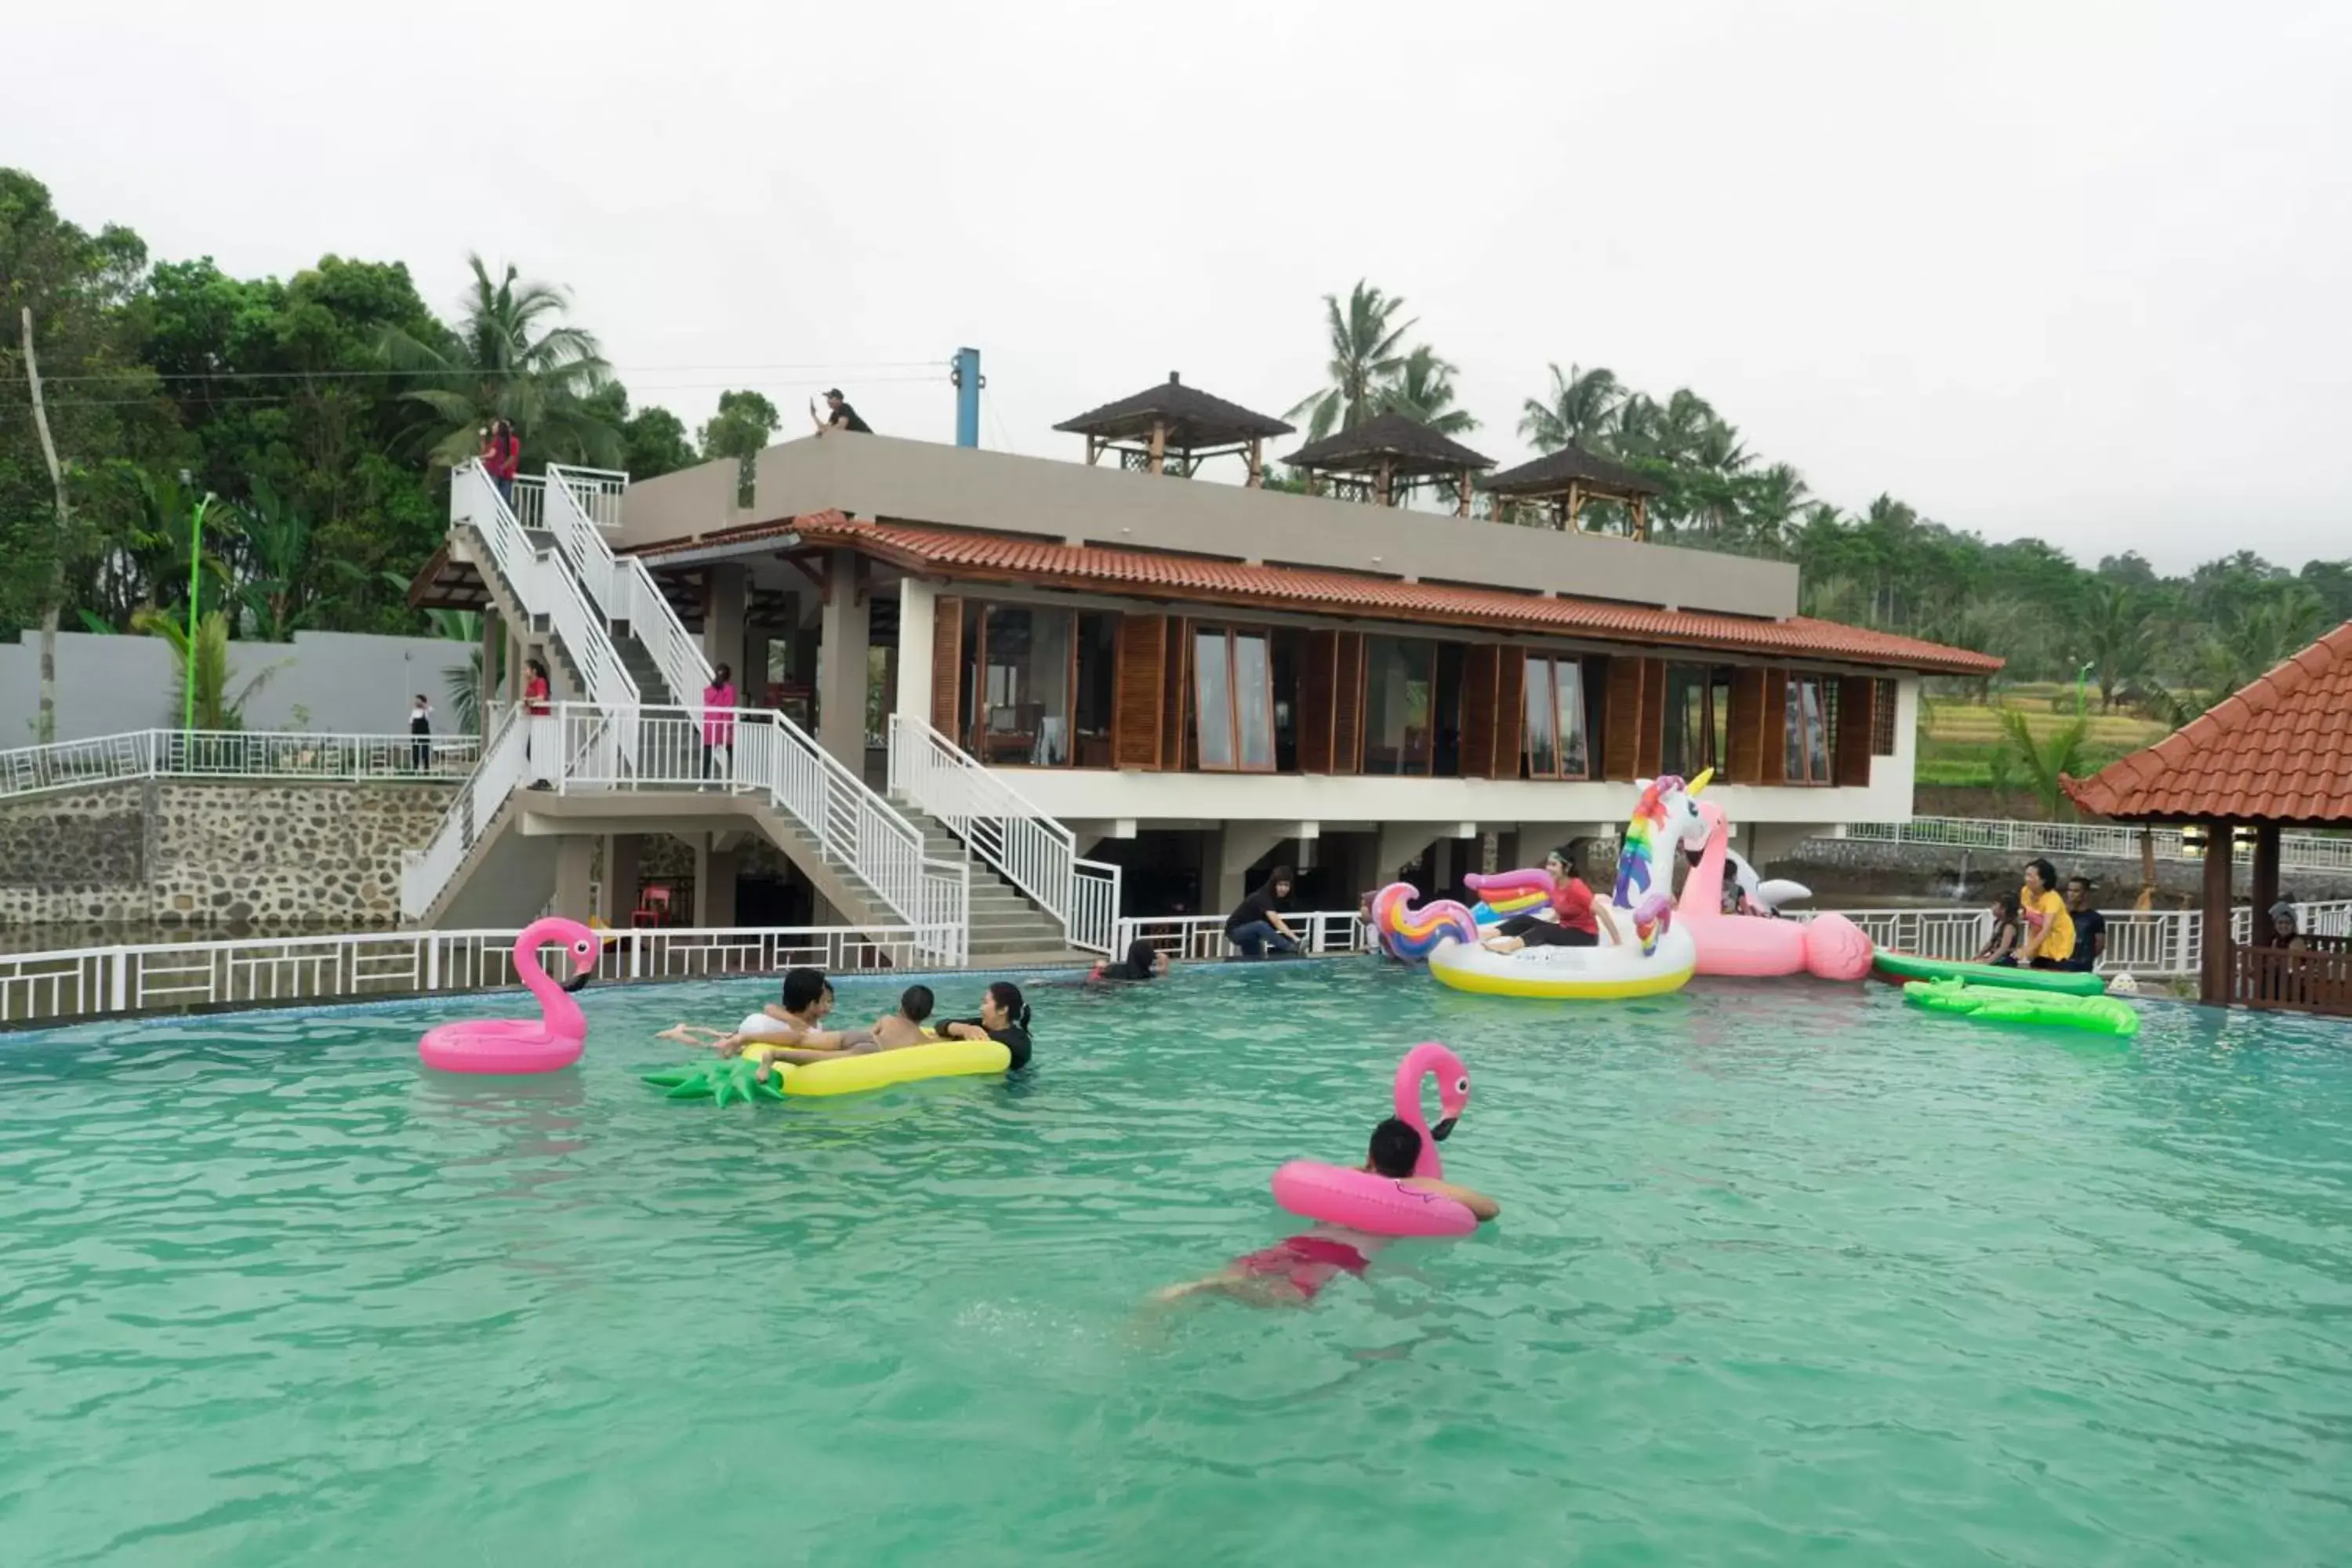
(234, 753)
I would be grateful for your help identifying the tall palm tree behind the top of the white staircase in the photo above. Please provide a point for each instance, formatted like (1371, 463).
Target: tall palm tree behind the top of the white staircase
(509, 361)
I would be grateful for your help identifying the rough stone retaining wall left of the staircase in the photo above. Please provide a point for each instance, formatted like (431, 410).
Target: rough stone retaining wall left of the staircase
(215, 852)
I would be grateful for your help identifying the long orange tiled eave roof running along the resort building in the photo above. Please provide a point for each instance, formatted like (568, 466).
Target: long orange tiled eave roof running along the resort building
(1351, 594)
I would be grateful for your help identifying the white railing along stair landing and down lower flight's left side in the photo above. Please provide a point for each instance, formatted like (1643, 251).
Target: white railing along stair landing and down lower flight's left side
(766, 753)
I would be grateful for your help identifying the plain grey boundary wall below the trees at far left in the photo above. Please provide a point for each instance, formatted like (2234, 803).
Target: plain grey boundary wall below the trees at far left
(347, 683)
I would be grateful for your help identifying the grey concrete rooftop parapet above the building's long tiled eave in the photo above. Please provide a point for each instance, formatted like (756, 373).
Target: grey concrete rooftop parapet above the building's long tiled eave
(878, 476)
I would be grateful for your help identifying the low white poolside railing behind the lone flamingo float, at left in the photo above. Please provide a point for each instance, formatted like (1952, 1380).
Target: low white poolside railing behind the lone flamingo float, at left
(265, 972)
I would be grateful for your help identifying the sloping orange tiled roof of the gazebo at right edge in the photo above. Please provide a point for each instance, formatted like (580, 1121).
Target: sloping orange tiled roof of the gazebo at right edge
(2278, 751)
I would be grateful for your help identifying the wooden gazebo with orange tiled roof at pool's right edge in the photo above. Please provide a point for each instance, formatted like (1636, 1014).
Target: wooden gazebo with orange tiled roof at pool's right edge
(2278, 753)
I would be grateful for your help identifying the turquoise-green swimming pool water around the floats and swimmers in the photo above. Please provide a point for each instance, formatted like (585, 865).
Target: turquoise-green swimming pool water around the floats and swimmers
(1786, 1271)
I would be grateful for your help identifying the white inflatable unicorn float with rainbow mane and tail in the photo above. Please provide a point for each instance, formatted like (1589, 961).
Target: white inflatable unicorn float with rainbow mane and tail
(1643, 949)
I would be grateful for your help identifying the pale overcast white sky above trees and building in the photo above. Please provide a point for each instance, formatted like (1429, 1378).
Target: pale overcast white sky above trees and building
(2050, 269)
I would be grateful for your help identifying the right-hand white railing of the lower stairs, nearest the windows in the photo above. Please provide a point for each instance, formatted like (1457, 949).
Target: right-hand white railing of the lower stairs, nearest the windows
(1005, 831)
